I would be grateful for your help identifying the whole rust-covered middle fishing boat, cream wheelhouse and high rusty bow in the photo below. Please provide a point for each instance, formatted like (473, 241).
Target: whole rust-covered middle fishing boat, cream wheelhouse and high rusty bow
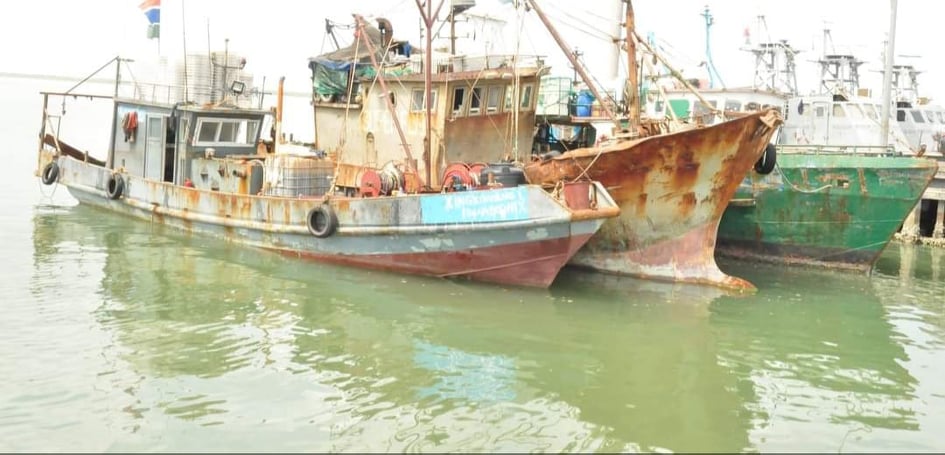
(671, 187)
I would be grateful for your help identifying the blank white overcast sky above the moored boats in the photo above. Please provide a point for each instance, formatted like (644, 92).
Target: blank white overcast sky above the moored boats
(277, 36)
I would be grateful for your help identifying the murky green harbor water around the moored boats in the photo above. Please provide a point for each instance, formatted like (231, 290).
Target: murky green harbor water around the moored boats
(122, 335)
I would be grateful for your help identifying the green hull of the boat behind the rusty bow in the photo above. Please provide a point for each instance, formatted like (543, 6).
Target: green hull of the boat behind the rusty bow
(834, 209)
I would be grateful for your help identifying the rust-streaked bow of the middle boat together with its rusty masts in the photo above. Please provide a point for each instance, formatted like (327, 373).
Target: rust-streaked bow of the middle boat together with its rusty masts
(672, 182)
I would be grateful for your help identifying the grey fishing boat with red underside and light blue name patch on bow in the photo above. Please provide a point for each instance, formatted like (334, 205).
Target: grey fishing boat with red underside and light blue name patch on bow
(197, 159)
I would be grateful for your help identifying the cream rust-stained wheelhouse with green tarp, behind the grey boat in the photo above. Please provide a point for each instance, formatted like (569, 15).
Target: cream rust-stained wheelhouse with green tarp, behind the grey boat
(481, 108)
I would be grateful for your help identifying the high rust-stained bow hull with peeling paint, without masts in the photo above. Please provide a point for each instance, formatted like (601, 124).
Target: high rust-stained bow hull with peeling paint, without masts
(672, 190)
